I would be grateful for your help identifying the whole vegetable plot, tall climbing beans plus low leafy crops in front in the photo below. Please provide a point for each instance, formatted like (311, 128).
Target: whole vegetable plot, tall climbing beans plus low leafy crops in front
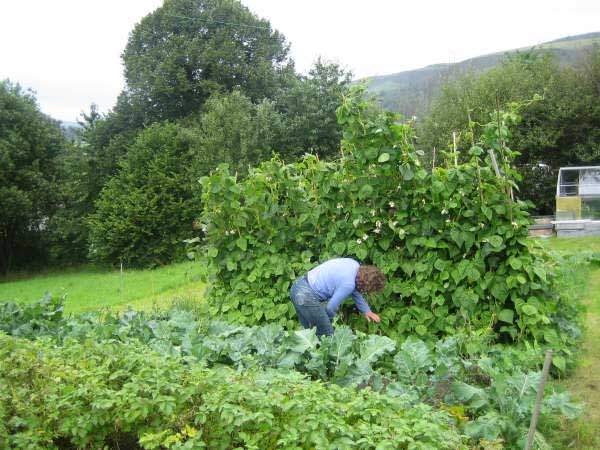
(470, 308)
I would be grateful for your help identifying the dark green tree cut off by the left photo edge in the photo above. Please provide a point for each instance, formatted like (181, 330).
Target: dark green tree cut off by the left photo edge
(29, 142)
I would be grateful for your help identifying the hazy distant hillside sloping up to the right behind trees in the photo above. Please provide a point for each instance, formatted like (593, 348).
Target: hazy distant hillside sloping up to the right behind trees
(411, 92)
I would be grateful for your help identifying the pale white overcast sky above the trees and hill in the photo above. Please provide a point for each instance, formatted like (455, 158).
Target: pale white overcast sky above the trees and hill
(68, 51)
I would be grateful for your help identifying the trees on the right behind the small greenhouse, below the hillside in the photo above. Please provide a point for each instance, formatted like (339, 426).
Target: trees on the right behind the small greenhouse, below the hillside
(559, 129)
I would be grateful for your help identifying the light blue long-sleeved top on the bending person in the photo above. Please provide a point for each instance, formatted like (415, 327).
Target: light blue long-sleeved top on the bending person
(334, 280)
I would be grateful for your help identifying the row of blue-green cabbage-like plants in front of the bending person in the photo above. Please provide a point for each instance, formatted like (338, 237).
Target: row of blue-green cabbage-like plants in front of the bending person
(495, 385)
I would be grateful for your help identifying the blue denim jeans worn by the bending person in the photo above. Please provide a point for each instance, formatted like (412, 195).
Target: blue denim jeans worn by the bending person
(309, 307)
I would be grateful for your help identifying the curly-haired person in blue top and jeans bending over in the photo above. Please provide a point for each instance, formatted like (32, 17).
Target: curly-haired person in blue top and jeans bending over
(318, 294)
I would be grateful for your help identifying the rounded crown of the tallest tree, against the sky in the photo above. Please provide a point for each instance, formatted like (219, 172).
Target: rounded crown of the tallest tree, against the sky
(183, 52)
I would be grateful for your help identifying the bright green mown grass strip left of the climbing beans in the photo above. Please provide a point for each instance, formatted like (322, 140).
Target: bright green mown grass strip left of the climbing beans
(89, 288)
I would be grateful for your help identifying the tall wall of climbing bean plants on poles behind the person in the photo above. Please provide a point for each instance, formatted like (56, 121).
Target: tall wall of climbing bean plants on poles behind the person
(452, 242)
